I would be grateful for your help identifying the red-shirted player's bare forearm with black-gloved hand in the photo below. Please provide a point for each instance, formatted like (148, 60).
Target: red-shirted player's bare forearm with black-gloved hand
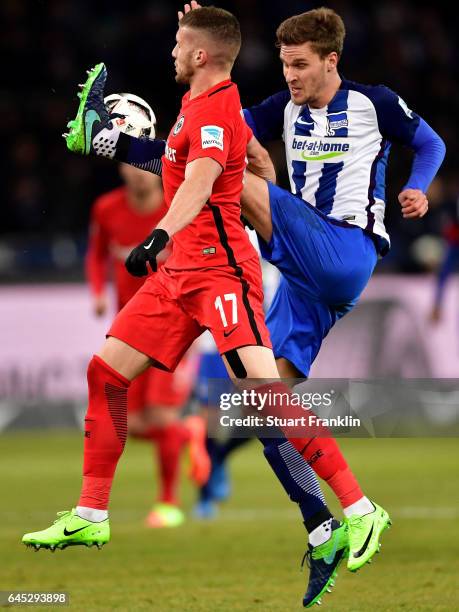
(191, 196)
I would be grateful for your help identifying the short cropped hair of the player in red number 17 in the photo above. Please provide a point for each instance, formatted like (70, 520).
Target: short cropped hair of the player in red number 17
(221, 25)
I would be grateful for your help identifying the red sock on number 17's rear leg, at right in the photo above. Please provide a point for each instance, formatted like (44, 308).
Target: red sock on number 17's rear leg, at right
(320, 449)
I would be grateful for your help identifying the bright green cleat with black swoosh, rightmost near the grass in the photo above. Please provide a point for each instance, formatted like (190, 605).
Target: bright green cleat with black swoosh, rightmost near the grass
(364, 534)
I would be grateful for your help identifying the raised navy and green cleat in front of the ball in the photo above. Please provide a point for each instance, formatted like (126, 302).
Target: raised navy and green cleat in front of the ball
(92, 115)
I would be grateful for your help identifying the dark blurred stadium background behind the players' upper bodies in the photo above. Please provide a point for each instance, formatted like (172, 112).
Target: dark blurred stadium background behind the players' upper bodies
(47, 45)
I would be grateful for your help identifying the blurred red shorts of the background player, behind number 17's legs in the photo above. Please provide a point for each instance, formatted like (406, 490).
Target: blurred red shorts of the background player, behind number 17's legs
(156, 388)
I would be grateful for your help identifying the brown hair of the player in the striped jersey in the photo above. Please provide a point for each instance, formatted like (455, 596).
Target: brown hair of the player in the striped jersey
(322, 27)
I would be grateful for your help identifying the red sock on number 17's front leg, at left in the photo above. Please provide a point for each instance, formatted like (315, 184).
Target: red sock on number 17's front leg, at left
(105, 432)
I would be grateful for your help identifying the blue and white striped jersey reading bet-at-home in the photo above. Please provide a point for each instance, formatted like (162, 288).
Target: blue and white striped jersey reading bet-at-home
(337, 155)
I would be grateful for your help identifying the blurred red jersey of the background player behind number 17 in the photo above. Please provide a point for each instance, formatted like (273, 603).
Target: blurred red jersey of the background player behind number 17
(116, 228)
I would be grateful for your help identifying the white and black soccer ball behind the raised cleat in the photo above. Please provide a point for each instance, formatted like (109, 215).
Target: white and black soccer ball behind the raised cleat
(137, 117)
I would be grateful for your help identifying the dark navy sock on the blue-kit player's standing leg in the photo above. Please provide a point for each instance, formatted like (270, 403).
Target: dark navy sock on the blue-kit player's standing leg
(298, 479)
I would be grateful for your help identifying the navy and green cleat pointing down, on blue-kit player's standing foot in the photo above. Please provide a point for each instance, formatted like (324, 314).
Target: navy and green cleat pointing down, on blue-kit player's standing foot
(323, 562)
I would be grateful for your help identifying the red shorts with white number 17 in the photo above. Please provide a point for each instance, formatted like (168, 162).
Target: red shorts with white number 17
(174, 307)
